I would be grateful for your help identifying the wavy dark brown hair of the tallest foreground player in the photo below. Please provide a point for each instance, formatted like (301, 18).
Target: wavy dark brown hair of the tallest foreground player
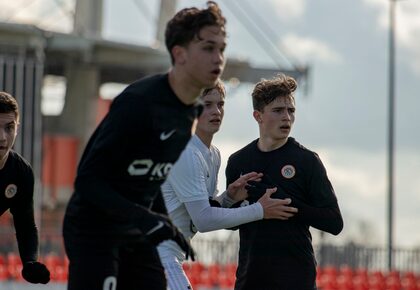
(187, 23)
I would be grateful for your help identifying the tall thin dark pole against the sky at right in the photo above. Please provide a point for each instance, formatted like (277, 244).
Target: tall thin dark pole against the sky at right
(391, 133)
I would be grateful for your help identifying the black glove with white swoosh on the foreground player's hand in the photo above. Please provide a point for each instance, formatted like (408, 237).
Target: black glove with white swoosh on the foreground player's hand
(160, 228)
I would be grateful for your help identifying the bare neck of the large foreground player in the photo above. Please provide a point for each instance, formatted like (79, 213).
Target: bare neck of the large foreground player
(183, 88)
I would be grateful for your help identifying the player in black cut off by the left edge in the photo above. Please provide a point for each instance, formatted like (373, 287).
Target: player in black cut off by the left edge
(17, 192)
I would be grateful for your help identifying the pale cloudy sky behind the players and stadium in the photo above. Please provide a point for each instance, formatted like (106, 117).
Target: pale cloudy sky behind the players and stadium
(343, 115)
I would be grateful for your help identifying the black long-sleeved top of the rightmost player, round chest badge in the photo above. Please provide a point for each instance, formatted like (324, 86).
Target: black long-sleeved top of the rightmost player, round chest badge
(277, 254)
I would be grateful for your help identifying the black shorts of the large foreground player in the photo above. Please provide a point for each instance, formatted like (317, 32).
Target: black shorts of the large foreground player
(120, 267)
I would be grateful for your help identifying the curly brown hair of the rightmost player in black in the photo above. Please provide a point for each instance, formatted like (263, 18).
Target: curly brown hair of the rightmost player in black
(267, 91)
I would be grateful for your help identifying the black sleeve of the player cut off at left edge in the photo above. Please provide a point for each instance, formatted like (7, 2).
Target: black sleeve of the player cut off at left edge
(24, 221)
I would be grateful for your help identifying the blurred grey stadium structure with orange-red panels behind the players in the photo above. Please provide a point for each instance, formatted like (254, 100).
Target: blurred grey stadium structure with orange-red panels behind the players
(53, 144)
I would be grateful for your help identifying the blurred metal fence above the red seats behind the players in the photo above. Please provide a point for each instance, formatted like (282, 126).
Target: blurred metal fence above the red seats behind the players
(225, 251)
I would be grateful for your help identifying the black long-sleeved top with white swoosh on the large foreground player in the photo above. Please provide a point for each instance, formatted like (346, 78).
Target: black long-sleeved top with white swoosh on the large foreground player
(127, 159)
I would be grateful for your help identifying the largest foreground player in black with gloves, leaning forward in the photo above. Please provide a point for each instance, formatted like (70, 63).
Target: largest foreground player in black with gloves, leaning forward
(117, 216)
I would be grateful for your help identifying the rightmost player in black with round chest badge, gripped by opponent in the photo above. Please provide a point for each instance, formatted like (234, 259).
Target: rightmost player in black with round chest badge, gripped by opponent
(278, 254)
